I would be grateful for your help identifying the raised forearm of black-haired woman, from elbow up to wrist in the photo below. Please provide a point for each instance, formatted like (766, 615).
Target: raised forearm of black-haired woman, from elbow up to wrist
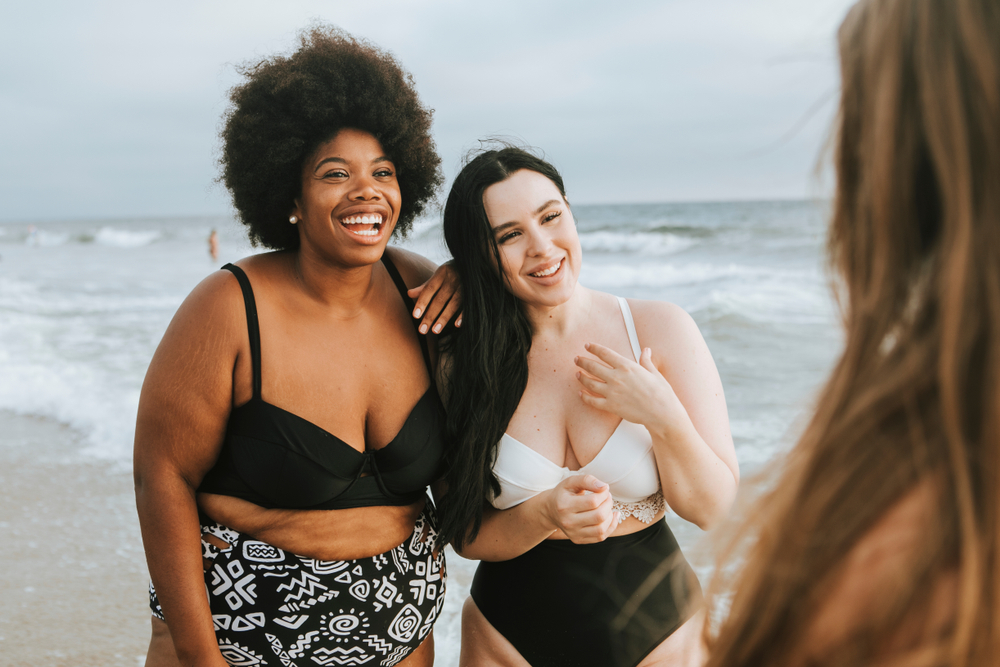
(697, 484)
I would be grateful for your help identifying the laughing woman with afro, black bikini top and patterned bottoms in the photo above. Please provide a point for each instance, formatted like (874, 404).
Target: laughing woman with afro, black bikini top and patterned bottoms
(296, 380)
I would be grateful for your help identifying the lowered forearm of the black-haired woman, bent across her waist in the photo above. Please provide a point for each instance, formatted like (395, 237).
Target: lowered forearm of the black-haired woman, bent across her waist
(506, 534)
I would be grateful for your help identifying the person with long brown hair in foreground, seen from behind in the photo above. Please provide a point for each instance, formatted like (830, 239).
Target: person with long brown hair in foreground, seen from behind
(880, 541)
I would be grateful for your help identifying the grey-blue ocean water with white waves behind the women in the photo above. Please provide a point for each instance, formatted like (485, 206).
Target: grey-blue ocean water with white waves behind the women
(83, 305)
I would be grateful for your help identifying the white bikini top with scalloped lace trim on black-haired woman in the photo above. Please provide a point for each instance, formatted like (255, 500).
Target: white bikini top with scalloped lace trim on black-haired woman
(626, 463)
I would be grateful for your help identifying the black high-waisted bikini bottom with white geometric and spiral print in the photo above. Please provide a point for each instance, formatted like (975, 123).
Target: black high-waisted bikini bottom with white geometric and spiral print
(271, 607)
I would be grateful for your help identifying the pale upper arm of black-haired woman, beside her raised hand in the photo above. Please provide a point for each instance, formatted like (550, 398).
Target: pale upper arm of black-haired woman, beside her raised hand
(683, 357)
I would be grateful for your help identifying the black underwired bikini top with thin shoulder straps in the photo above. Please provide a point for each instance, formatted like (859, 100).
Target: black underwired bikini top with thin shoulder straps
(276, 459)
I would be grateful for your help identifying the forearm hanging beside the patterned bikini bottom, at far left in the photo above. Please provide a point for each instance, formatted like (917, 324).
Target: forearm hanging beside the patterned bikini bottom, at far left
(171, 536)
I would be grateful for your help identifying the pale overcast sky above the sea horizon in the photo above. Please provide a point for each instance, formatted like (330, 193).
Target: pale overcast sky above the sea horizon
(112, 108)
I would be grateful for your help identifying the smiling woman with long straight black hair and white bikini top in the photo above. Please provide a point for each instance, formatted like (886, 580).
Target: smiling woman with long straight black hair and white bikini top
(575, 419)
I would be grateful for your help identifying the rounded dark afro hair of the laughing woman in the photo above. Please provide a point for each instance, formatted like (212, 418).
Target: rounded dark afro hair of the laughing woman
(289, 105)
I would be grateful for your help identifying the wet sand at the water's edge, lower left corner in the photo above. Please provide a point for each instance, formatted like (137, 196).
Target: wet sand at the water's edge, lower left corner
(73, 576)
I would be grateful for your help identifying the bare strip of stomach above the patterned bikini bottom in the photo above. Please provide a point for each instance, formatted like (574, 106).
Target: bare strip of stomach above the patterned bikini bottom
(346, 534)
